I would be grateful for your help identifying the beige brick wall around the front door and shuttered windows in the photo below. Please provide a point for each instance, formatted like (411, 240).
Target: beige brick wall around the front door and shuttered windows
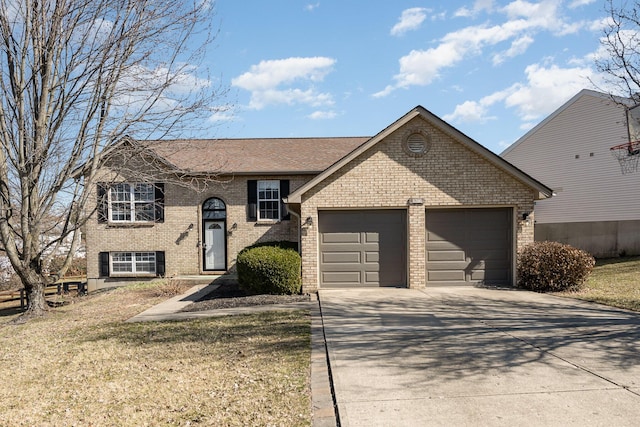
(183, 248)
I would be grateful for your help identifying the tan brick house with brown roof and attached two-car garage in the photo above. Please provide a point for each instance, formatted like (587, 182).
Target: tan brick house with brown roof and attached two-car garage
(418, 204)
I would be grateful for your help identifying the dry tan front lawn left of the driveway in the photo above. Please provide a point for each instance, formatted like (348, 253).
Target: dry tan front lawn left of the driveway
(82, 365)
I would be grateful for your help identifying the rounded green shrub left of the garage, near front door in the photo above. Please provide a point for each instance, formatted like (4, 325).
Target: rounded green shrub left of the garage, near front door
(269, 269)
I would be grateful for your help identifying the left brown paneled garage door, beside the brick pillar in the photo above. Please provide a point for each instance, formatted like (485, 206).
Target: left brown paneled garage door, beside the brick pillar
(362, 248)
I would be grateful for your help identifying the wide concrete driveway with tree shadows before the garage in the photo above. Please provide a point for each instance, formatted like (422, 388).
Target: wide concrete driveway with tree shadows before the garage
(482, 357)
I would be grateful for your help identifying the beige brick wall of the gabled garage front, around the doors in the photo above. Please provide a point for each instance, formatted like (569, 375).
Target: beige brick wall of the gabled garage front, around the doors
(385, 176)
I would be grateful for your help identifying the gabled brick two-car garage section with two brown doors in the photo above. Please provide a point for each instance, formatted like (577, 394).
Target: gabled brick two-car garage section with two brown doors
(419, 204)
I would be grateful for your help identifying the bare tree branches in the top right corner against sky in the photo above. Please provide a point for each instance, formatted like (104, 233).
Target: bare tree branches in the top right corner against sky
(620, 58)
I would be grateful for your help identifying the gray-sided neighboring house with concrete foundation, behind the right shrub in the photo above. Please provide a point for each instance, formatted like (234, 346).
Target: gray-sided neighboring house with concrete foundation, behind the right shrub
(595, 207)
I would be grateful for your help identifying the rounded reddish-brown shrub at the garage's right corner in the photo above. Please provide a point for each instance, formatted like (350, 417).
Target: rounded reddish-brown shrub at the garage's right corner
(552, 266)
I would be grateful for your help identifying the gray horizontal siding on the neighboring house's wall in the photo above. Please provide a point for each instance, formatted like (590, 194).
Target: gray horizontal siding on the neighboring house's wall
(569, 152)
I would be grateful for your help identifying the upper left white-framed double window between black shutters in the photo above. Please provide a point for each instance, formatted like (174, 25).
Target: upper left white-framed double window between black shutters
(132, 202)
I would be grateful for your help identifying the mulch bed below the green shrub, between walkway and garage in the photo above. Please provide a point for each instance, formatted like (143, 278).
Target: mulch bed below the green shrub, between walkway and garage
(230, 295)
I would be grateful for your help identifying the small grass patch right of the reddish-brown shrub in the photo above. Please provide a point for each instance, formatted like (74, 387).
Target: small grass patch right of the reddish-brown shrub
(614, 282)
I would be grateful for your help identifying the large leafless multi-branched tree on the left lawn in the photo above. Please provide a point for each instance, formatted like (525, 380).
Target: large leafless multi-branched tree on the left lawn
(75, 77)
